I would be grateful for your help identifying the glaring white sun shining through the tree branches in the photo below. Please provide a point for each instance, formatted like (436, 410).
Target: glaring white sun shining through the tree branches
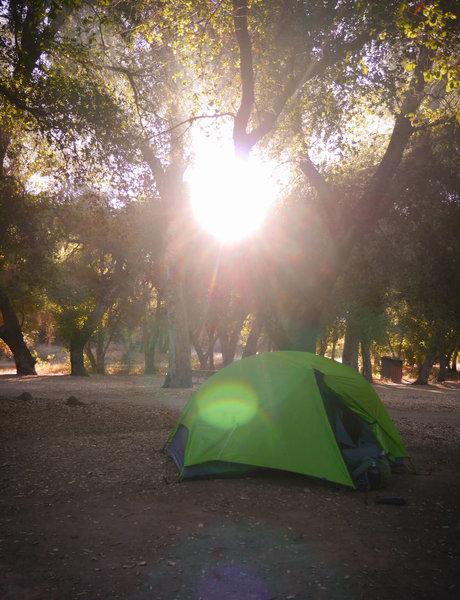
(230, 197)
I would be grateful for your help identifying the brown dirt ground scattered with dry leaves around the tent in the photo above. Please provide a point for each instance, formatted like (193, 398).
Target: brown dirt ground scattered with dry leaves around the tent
(90, 507)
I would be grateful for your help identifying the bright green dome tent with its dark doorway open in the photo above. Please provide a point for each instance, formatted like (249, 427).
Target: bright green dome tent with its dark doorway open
(286, 410)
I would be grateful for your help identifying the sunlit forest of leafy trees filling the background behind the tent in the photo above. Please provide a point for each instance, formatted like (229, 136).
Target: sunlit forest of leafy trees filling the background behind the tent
(355, 107)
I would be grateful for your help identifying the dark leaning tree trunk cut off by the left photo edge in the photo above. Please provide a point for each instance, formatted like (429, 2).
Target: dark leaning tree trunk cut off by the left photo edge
(11, 334)
